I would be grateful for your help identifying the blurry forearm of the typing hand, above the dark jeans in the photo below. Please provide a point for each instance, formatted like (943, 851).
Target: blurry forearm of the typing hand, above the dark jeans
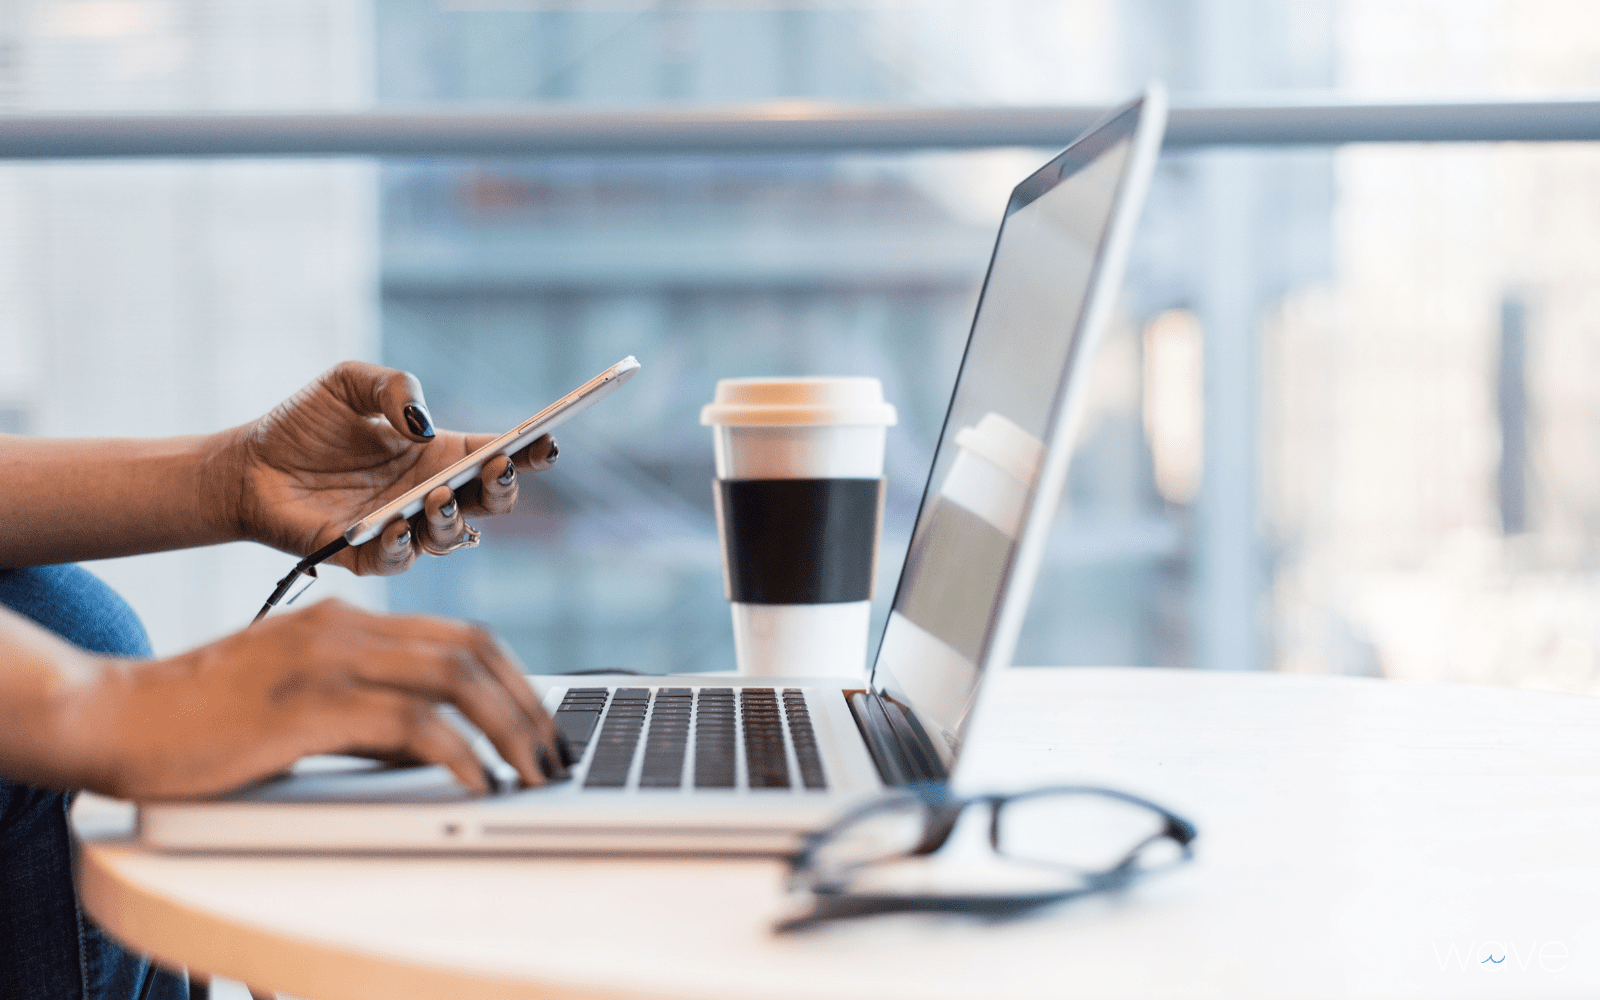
(41, 679)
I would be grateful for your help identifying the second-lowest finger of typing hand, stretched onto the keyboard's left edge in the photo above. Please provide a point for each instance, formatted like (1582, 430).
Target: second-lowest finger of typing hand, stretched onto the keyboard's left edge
(455, 673)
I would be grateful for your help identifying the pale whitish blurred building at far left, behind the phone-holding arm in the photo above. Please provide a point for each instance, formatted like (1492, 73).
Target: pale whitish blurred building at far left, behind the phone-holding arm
(156, 298)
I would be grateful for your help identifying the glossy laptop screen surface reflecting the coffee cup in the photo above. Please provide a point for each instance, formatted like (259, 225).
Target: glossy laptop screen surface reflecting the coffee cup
(1023, 343)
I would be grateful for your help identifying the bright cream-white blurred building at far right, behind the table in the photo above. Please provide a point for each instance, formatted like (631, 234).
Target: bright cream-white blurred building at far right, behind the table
(1434, 415)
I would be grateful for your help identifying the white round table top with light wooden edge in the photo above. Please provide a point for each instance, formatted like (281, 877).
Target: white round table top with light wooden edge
(1358, 838)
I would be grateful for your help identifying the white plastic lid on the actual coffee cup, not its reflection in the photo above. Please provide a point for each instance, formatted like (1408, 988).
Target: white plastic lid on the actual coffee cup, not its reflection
(809, 401)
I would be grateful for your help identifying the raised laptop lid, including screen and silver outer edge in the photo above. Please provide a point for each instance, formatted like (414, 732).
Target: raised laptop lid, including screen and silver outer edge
(1004, 450)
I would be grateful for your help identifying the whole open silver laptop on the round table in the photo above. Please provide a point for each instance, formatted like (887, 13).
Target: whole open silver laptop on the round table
(746, 766)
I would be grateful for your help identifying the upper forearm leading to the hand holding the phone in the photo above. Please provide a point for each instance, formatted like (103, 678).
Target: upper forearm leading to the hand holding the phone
(71, 500)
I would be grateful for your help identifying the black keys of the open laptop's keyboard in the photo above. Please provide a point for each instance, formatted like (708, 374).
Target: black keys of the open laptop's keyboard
(711, 721)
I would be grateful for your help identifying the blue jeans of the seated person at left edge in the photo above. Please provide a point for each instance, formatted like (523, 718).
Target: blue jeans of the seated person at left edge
(49, 946)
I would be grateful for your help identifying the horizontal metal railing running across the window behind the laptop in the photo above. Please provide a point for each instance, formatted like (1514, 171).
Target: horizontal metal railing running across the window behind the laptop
(766, 129)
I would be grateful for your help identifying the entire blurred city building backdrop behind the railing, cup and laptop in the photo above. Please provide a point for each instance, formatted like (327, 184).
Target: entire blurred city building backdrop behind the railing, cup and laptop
(1346, 422)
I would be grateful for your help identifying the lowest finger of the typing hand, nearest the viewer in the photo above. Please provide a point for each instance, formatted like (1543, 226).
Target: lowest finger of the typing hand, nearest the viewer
(390, 724)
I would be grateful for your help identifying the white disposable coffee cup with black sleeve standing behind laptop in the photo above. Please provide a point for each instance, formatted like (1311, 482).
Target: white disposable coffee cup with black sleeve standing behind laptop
(799, 511)
